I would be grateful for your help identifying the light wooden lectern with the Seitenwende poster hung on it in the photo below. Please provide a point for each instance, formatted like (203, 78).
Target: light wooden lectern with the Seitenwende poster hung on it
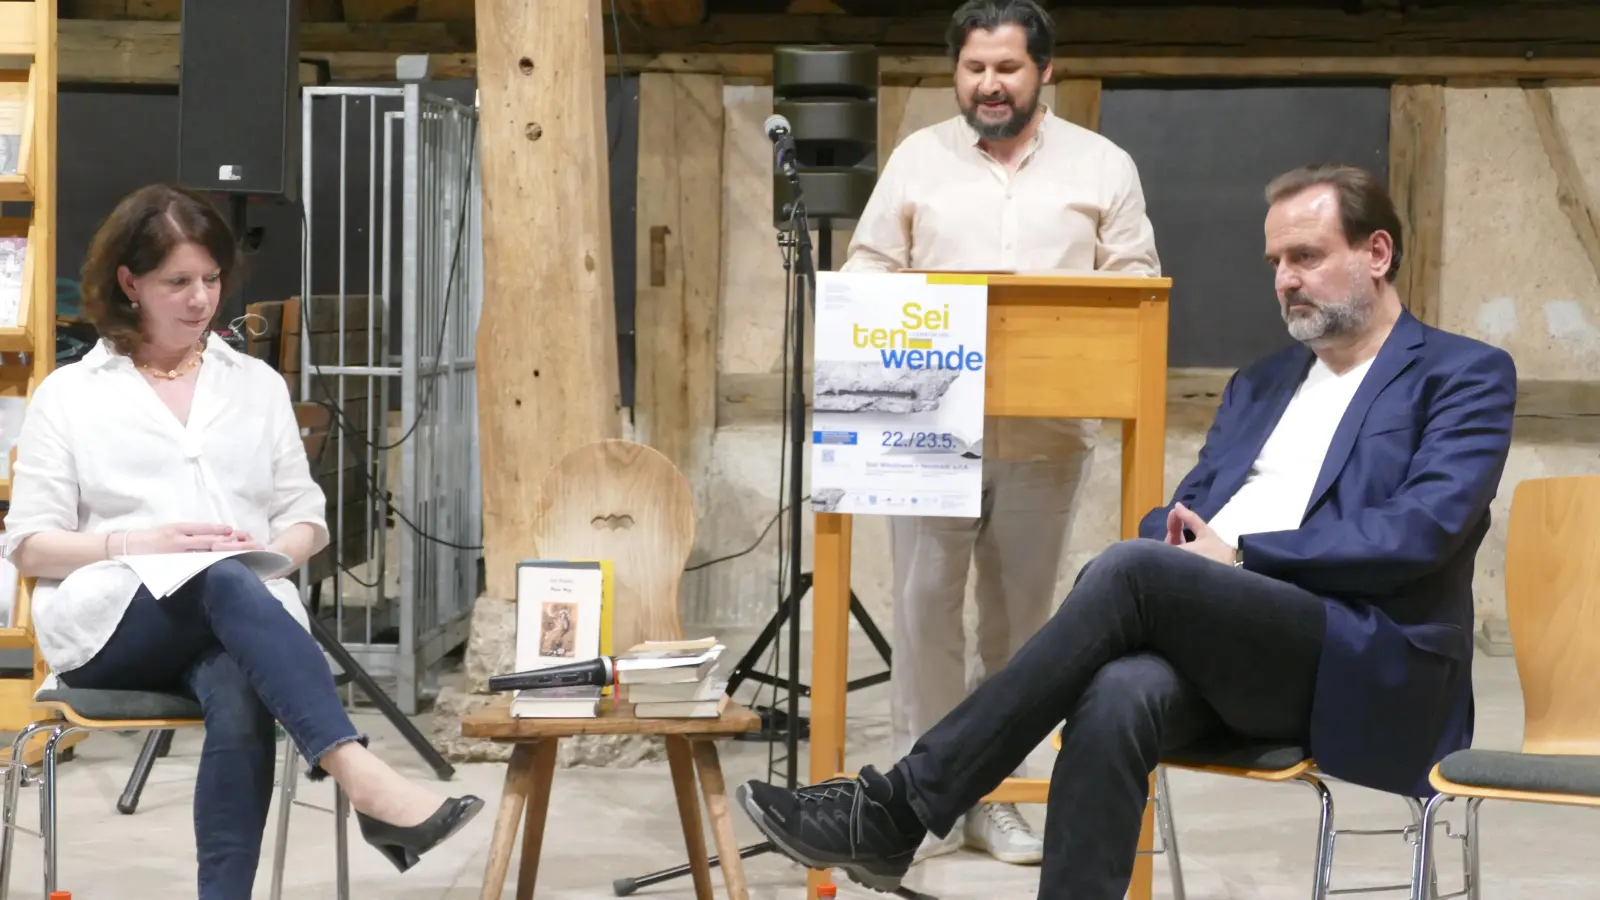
(1060, 347)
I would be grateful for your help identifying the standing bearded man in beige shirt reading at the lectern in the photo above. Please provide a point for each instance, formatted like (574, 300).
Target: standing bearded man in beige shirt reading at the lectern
(1002, 187)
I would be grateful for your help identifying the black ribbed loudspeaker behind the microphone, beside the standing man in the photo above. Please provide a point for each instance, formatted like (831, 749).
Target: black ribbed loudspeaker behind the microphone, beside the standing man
(830, 95)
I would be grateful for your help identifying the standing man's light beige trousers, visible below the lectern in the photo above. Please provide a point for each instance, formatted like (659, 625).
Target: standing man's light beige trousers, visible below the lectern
(1017, 542)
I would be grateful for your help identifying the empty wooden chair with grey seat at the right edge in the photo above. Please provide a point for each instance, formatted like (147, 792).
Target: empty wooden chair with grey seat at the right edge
(1553, 608)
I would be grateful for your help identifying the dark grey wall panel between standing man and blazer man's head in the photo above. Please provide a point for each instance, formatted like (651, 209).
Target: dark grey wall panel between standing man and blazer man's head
(1206, 155)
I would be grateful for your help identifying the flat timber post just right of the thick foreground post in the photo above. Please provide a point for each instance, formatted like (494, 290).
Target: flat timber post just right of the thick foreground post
(679, 268)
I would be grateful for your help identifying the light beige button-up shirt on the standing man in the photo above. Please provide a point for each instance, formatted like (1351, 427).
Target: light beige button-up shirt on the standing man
(945, 204)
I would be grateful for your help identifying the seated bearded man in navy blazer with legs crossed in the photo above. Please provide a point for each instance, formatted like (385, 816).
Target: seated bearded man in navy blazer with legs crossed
(1310, 584)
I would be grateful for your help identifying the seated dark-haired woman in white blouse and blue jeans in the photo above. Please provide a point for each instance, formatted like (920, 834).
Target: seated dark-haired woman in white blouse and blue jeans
(164, 440)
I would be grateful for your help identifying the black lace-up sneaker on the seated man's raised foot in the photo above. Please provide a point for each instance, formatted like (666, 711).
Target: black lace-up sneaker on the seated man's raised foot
(838, 824)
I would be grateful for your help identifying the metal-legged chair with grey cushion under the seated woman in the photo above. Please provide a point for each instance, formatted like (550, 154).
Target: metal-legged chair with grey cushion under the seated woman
(79, 710)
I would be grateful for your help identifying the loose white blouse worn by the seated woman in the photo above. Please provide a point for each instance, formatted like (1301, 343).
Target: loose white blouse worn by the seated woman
(102, 454)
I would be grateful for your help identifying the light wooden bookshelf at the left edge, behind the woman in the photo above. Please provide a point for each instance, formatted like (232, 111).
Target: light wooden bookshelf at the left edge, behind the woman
(28, 342)
